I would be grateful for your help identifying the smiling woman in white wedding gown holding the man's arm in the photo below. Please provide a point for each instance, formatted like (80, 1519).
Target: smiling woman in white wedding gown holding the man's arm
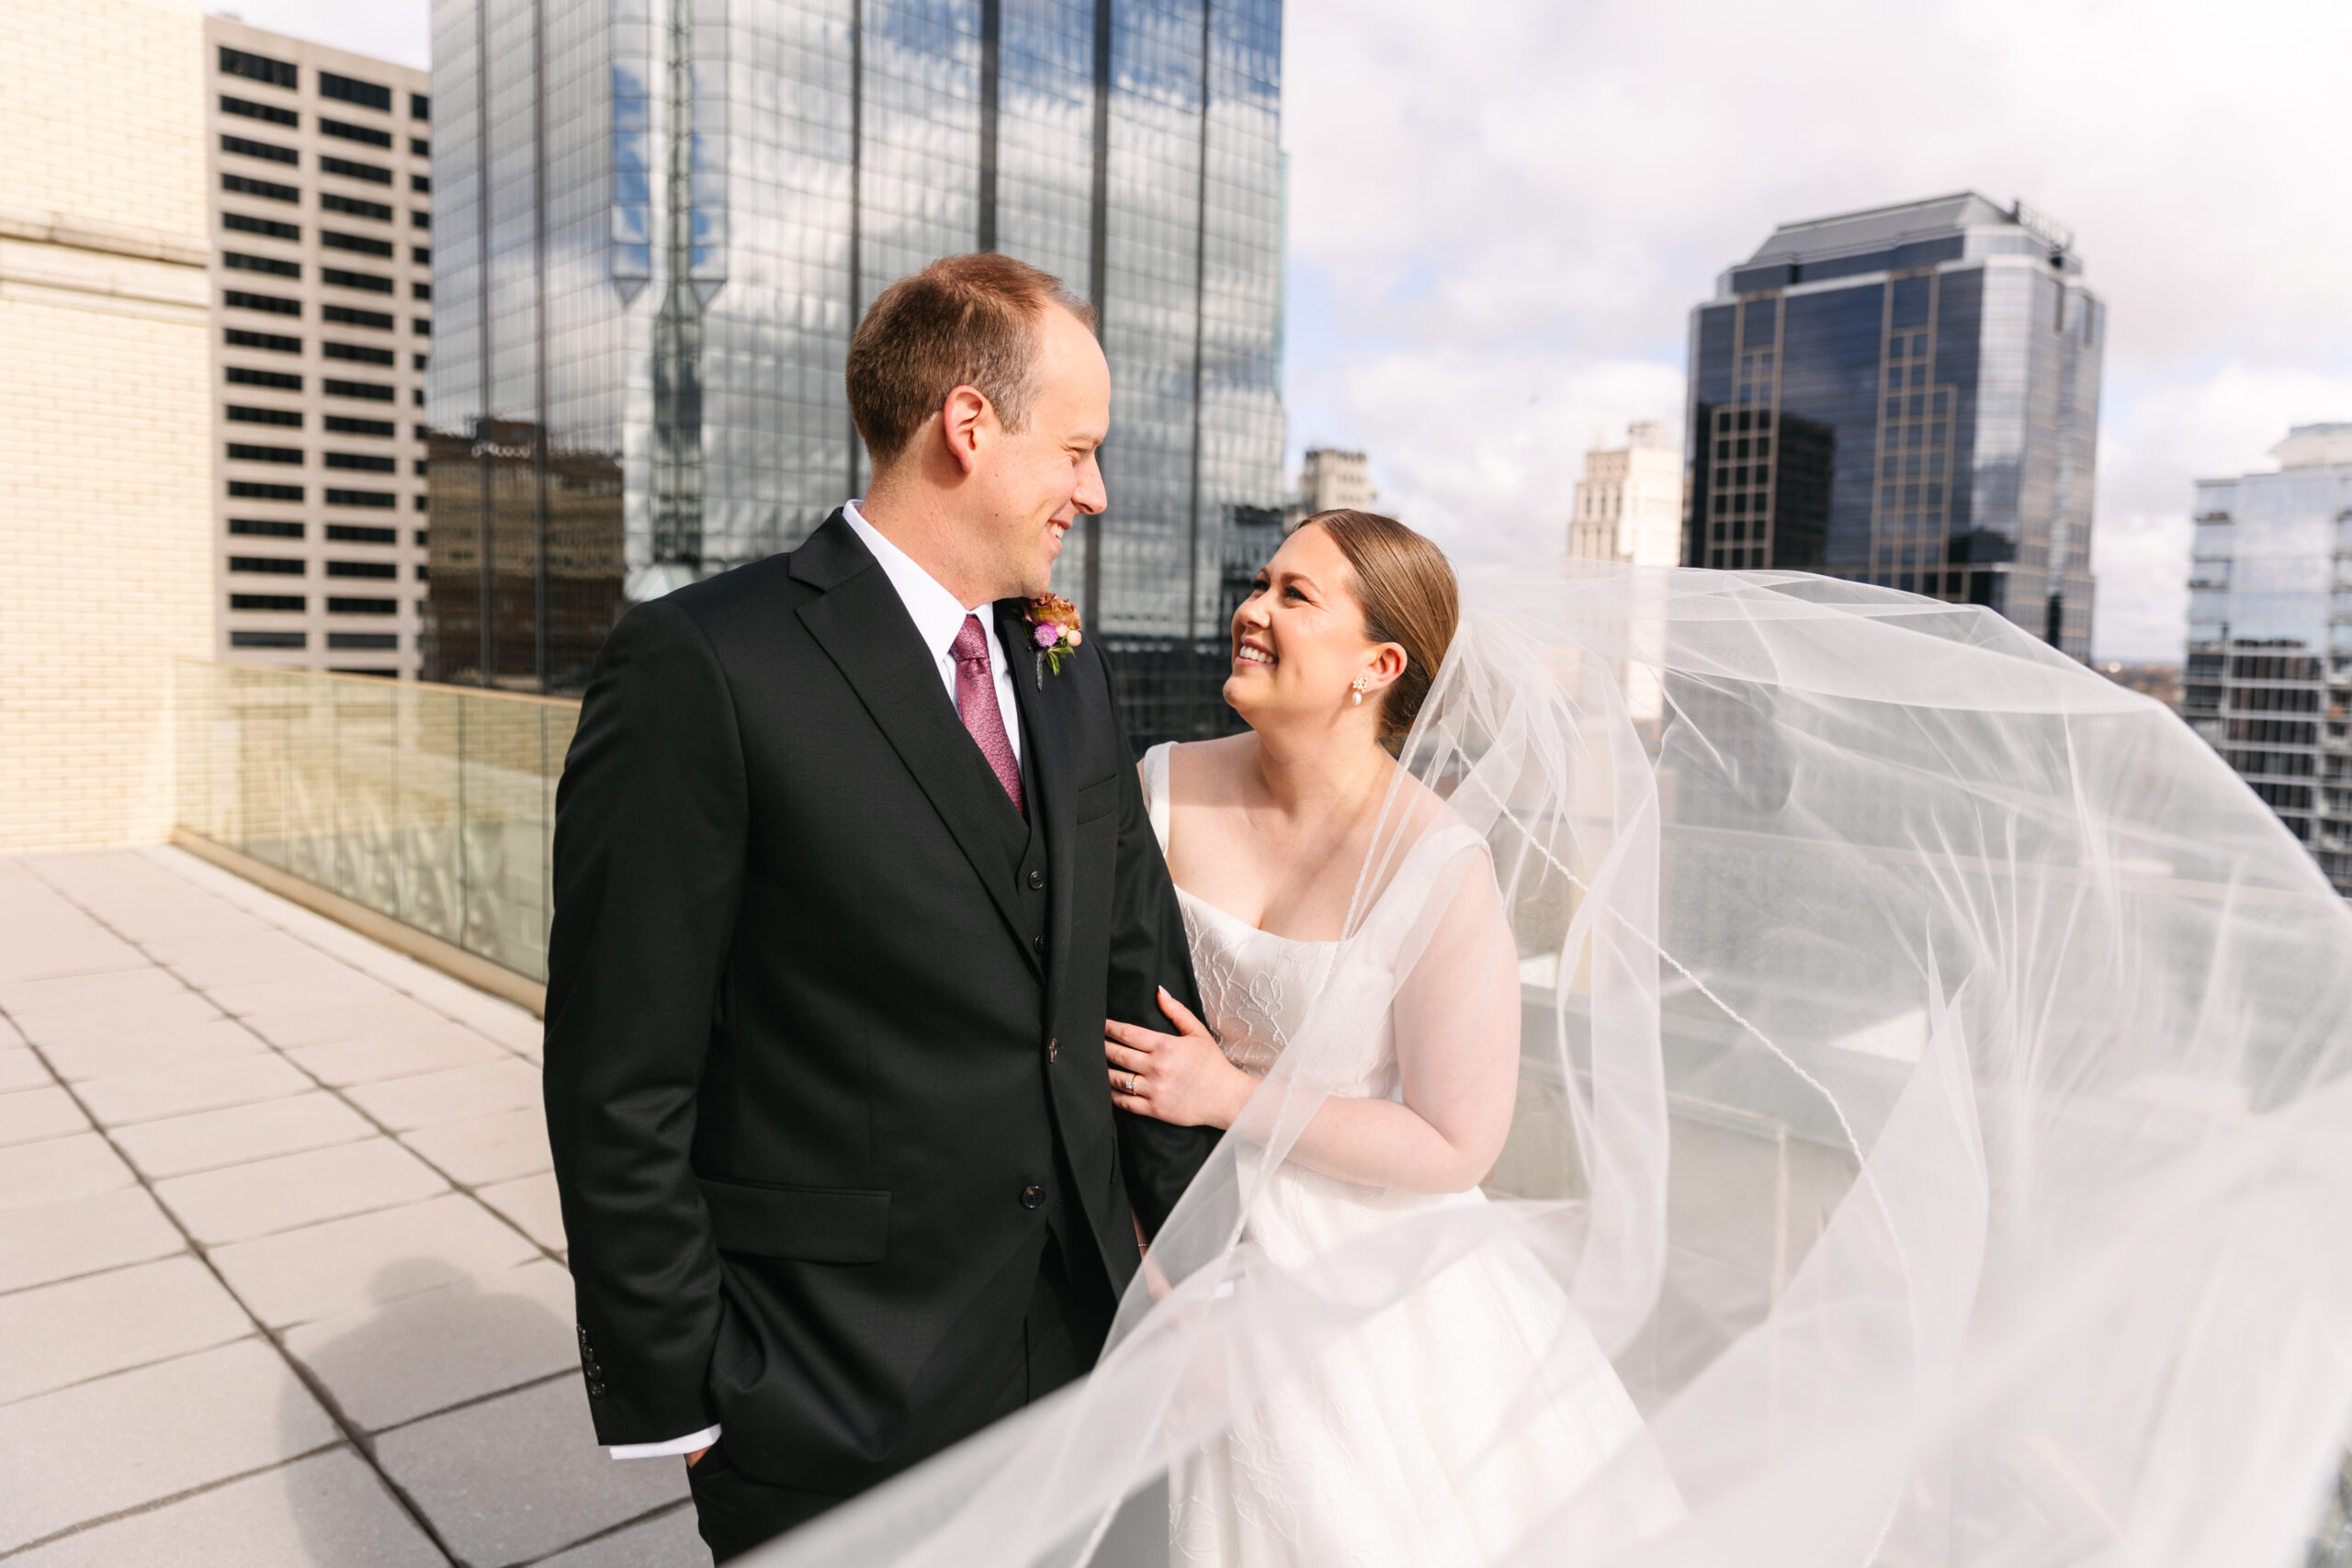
(1443, 1428)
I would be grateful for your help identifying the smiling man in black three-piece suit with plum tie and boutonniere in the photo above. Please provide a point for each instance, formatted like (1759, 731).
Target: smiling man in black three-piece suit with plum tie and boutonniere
(846, 887)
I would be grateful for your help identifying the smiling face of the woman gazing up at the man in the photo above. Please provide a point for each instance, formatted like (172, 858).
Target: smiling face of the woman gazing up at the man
(1299, 643)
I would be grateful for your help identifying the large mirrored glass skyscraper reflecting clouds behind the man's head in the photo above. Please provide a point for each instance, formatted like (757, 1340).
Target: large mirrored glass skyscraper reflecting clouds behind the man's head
(660, 222)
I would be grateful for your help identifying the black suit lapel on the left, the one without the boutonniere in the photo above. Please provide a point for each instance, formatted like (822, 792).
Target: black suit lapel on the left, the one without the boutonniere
(867, 634)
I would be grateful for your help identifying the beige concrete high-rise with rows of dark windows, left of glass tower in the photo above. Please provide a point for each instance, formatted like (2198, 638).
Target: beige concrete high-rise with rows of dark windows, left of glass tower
(321, 215)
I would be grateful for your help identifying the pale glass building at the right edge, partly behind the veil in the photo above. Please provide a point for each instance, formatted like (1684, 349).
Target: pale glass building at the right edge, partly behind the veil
(2269, 676)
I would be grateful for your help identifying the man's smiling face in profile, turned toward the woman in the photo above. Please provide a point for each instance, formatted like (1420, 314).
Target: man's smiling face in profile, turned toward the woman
(1036, 483)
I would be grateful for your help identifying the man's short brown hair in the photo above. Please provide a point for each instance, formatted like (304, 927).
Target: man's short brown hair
(963, 321)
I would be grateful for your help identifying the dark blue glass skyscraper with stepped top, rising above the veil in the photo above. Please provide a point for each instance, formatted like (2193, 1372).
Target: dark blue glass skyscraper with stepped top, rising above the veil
(1906, 396)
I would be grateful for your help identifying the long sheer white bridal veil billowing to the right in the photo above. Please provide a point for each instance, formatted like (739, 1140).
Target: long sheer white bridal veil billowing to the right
(1932, 1094)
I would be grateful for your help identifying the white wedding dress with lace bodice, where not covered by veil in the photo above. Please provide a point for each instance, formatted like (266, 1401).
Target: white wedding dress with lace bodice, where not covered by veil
(1384, 1452)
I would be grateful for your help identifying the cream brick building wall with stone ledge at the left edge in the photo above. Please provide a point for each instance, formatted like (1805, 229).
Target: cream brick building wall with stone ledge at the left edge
(105, 415)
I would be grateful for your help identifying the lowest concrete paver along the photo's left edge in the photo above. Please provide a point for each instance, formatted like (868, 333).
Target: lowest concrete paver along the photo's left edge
(152, 1433)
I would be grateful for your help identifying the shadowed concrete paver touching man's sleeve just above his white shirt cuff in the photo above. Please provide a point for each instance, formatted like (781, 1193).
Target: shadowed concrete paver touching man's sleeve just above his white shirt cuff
(429, 1353)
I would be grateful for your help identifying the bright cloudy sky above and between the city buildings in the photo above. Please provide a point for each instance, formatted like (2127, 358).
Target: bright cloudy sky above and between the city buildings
(1502, 215)
